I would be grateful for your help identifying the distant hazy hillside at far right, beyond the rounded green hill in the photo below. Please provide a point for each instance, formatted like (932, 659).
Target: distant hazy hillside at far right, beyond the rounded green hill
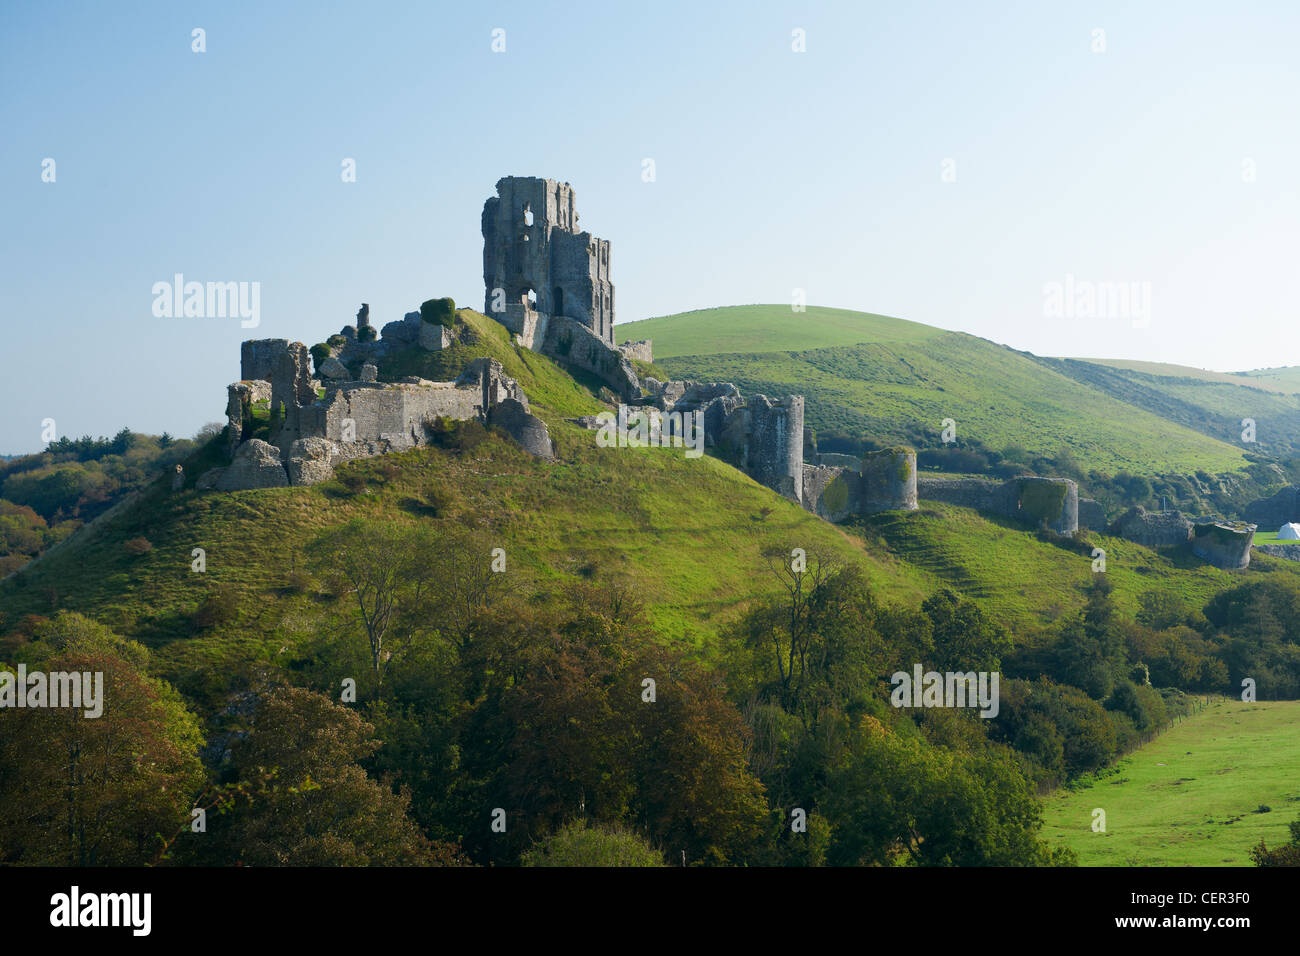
(1210, 403)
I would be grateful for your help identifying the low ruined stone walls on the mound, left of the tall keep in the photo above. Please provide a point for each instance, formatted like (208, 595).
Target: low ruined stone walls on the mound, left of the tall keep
(354, 418)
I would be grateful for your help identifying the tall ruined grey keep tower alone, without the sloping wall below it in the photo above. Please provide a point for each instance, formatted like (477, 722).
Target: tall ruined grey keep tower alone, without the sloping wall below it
(544, 266)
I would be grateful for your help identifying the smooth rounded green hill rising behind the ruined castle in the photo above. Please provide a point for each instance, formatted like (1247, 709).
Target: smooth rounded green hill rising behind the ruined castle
(902, 380)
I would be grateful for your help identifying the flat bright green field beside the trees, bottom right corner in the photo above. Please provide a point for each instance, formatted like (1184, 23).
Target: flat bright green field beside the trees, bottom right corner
(1190, 798)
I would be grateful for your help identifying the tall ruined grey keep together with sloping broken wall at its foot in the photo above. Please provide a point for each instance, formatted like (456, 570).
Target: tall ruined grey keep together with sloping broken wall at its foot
(549, 283)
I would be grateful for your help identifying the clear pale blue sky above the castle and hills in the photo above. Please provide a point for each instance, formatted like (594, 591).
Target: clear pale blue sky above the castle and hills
(985, 167)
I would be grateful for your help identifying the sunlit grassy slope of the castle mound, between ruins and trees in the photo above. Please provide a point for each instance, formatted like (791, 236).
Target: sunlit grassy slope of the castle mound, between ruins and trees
(686, 535)
